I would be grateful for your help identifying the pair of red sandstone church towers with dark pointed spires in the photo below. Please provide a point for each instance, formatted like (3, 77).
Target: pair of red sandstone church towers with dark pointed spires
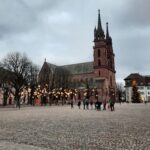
(104, 69)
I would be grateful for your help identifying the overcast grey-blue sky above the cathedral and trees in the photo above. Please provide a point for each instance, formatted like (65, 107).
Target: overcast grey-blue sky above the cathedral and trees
(62, 31)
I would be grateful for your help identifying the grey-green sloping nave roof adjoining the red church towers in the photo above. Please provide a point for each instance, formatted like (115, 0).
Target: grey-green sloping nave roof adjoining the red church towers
(80, 68)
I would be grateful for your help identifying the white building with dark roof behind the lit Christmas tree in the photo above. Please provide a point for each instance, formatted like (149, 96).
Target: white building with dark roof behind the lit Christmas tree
(143, 85)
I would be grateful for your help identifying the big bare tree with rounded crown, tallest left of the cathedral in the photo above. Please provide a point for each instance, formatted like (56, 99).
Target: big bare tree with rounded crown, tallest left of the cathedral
(19, 65)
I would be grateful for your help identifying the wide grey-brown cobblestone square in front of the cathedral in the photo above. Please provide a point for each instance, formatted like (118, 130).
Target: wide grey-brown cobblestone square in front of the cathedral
(63, 128)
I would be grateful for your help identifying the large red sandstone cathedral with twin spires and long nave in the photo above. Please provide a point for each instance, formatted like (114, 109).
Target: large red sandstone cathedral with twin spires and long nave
(99, 73)
